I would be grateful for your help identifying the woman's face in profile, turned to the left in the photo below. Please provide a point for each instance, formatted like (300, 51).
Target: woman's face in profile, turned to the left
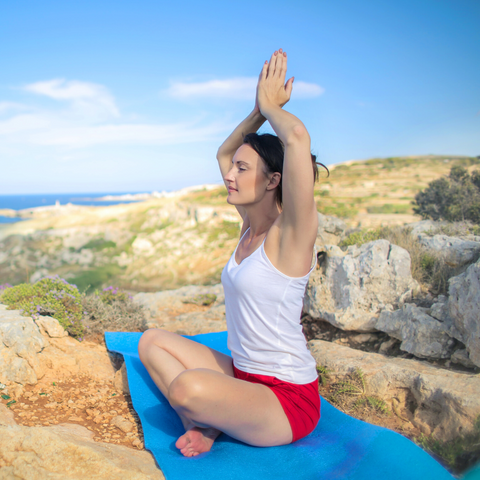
(247, 180)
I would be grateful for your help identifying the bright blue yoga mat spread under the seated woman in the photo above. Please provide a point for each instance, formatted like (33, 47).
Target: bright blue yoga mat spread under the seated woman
(341, 447)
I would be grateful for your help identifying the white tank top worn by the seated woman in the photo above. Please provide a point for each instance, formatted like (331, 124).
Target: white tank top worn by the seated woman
(263, 309)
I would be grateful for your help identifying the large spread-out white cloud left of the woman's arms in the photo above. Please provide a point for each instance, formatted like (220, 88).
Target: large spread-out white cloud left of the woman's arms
(88, 117)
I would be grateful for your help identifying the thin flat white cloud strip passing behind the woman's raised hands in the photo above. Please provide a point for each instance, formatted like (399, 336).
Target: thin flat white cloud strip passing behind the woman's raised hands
(240, 88)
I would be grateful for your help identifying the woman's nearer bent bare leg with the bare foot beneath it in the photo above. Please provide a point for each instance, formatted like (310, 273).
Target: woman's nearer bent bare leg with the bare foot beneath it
(246, 411)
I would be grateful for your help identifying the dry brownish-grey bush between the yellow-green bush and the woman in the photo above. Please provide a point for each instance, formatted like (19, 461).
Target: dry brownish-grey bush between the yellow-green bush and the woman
(112, 309)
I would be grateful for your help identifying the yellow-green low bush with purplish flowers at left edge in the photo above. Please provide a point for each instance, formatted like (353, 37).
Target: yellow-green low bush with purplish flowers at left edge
(52, 296)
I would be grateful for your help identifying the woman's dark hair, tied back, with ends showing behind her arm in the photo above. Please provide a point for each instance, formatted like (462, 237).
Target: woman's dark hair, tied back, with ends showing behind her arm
(270, 148)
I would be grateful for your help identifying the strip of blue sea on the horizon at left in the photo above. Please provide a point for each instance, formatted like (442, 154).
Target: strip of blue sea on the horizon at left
(21, 202)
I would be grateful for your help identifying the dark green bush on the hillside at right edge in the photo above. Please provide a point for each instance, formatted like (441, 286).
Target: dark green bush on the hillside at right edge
(452, 198)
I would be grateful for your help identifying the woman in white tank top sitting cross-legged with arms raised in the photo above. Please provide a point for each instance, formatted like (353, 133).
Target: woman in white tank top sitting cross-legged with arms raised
(268, 395)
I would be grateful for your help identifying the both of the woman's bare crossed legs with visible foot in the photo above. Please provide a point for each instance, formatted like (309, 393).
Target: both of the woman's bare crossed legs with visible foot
(199, 384)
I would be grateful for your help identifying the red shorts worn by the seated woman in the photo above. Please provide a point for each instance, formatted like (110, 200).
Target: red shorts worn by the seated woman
(301, 403)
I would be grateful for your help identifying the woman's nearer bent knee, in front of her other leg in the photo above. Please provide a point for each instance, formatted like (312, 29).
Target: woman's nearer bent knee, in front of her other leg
(187, 390)
